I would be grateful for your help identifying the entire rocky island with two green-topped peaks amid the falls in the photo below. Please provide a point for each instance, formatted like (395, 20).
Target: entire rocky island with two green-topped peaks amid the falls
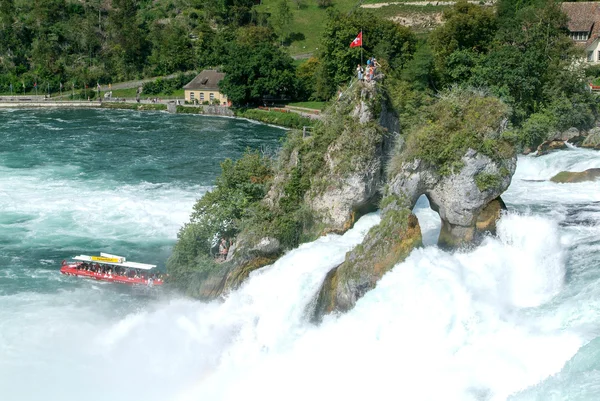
(355, 161)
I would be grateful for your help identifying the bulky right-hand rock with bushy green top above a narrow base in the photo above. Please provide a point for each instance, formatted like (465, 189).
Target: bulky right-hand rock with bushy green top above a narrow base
(459, 186)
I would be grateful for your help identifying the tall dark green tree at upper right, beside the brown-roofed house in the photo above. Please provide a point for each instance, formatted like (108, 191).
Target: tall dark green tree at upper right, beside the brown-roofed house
(527, 55)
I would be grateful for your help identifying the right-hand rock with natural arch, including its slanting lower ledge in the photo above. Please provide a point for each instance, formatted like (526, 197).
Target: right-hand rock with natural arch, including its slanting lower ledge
(460, 161)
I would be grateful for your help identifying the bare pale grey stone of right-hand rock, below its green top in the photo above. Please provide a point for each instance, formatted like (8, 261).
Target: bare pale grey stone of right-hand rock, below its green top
(459, 198)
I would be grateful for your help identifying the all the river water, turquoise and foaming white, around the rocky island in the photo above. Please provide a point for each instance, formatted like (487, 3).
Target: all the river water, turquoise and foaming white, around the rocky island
(516, 318)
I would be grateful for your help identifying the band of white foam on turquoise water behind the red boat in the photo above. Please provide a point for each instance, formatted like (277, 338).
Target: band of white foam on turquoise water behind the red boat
(93, 208)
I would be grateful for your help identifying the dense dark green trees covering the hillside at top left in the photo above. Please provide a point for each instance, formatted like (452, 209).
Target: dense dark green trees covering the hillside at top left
(54, 41)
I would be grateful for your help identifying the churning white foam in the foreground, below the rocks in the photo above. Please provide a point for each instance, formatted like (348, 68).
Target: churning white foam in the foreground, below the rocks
(438, 326)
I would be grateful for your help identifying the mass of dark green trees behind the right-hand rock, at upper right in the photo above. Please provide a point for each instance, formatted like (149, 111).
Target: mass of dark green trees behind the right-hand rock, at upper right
(521, 54)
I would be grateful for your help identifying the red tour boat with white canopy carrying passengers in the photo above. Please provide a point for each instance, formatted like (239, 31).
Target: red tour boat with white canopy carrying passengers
(113, 268)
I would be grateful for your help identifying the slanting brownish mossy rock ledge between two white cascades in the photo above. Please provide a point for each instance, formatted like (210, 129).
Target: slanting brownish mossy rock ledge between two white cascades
(384, 246)
